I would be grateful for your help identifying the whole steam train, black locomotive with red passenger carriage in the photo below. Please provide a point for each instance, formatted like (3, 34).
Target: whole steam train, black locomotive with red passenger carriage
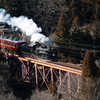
(36, 50)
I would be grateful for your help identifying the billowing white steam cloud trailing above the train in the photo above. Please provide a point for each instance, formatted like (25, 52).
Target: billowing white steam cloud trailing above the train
(28, 26)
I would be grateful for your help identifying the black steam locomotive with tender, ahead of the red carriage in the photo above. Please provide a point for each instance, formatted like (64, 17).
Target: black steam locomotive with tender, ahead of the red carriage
(39, 51)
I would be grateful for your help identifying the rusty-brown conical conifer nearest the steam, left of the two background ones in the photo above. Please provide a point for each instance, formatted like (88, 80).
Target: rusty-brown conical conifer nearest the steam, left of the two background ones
(61, 31)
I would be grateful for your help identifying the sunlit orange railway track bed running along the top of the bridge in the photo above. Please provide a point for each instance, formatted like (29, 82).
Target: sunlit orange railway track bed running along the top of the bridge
(73, 68)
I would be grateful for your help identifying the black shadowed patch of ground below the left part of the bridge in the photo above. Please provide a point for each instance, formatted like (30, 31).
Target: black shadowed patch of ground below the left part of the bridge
(22, 91)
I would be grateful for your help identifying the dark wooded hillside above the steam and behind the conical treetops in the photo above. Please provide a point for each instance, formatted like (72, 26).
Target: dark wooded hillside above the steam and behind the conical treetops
(46, 13)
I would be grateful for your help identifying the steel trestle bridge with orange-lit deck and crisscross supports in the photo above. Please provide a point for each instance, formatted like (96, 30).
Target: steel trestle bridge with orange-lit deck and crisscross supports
(40, 73)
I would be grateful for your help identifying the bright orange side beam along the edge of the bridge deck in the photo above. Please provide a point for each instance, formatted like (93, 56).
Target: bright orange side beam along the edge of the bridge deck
(69, 67)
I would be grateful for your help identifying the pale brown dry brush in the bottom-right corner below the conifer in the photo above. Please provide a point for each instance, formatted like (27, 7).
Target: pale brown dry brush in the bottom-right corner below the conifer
(90, 88)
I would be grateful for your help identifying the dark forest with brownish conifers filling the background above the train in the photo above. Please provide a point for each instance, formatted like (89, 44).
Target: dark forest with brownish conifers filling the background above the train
(81, 17)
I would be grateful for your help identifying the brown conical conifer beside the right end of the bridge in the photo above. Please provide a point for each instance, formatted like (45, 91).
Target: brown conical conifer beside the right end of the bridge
(89, 68)
